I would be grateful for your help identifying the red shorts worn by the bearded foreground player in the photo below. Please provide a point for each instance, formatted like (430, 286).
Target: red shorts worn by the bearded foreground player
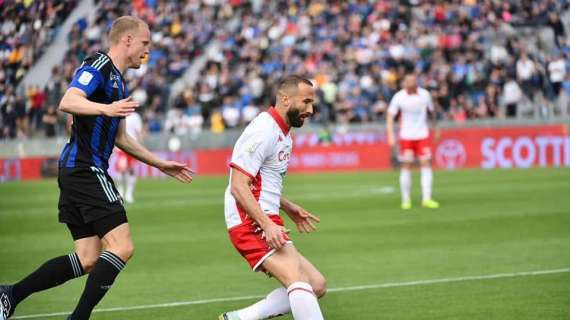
(246, 238)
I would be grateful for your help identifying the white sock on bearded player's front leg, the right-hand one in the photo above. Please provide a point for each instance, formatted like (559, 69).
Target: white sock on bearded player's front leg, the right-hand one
(304, 304)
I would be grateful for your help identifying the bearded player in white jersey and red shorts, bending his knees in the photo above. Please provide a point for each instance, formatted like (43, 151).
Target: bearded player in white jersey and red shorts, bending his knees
(253, 200)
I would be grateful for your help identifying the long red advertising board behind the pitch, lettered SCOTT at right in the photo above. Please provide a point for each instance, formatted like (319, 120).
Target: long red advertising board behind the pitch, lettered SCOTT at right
(509, 147)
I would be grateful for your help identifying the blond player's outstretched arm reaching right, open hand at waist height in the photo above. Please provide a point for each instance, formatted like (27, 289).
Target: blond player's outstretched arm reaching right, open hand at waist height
(131, 146)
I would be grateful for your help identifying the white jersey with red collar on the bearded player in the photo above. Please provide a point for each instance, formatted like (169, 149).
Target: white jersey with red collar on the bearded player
(262, 152)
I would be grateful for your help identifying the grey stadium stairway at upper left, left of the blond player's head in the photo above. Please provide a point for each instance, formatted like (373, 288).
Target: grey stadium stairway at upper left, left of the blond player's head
(40, 72)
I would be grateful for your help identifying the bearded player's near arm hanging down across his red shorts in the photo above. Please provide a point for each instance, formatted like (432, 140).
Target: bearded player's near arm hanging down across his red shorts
(241, 191)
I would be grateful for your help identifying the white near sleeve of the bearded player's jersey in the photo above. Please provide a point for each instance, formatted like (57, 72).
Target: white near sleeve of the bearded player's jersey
(250, 151)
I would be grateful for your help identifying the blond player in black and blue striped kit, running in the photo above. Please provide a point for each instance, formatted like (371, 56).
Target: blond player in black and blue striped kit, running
(89, 203)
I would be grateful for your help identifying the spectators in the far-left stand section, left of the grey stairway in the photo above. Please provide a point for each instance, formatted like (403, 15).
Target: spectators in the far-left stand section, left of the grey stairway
(26, 29)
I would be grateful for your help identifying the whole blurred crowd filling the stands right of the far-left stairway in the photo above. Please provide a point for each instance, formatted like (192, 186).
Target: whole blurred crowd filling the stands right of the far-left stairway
(479, 59)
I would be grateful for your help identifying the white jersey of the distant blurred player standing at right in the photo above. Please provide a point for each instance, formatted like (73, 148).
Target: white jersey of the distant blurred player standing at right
(414, 109)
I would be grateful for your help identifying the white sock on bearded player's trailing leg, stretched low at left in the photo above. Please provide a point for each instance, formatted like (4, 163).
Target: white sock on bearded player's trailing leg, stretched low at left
(275, 304)
